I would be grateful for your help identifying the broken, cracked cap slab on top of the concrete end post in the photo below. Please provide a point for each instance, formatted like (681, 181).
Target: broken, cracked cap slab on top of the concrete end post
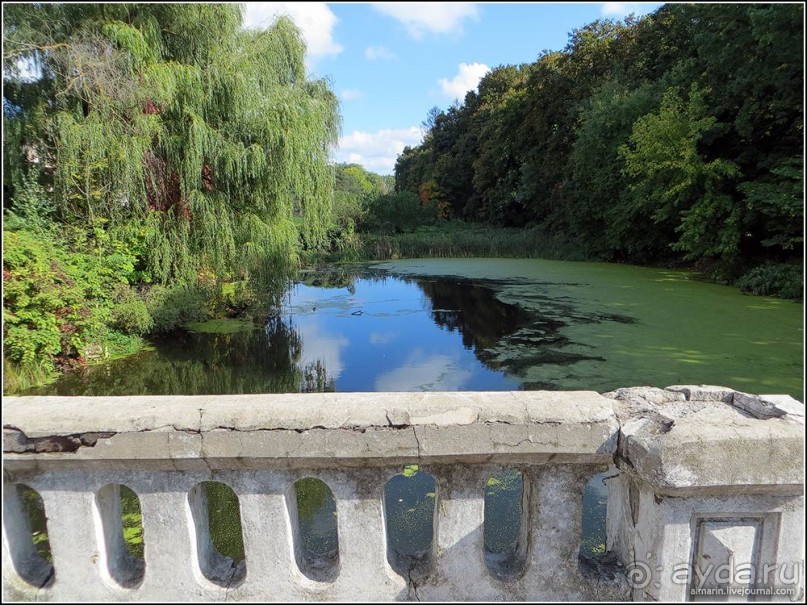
(678, 444)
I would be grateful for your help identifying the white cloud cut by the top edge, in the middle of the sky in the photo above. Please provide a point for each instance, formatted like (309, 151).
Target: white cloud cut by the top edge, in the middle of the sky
(420, 18)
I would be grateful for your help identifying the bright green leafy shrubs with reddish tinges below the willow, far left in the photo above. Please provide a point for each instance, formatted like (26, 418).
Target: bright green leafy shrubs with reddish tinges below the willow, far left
(63, 292)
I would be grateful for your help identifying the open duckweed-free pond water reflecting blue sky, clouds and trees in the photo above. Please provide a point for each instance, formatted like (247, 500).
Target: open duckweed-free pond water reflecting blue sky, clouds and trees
(364, 332)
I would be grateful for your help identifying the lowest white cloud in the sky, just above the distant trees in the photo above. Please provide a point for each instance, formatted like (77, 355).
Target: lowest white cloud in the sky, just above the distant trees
(377, 151)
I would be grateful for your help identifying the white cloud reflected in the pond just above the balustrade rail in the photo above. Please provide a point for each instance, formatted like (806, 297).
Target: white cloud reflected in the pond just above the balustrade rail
(420, 373)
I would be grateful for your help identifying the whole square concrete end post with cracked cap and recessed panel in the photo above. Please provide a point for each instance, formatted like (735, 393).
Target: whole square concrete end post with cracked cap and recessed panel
(708, 503)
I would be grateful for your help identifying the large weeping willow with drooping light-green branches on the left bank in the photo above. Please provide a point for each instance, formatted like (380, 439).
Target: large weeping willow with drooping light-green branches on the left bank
(175, 122)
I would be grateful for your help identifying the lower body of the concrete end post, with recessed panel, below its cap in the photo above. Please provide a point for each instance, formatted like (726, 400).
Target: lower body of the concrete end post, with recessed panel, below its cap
(661, 541)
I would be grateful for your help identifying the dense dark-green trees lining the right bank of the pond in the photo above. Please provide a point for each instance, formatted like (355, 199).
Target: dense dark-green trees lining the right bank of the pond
(676, 137)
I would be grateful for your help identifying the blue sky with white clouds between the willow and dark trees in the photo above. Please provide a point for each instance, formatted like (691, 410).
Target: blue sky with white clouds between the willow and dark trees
(390, 62)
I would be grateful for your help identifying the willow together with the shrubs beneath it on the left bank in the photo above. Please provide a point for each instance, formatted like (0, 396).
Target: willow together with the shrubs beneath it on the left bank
(156, 157)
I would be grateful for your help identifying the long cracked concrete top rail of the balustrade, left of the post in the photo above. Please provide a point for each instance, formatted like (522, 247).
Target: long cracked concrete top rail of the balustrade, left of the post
(251, 431)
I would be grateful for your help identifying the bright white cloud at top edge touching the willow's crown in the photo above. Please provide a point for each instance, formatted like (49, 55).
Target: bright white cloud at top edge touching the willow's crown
(315, 20)
